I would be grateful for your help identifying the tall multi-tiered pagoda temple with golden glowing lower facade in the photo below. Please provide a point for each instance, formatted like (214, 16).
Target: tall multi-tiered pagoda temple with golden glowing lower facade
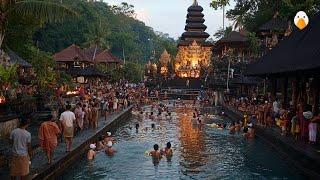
(194, 53)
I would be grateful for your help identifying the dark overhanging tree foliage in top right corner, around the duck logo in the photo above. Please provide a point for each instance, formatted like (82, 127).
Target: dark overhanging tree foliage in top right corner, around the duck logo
(253, 13)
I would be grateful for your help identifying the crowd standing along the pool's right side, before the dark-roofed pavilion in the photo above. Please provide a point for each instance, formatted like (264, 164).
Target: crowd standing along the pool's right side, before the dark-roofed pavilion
(267, 112)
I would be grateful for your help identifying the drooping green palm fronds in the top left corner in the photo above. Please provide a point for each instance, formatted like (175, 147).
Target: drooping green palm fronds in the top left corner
(44, 10)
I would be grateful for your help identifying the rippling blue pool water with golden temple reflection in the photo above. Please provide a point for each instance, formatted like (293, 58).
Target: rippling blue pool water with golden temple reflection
(199, 153)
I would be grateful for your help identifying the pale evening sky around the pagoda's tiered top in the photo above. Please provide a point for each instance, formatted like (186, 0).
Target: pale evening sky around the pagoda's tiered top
(169, 16)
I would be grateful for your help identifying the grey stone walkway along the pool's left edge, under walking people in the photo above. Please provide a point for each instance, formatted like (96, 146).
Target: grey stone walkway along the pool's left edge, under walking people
(39, 160)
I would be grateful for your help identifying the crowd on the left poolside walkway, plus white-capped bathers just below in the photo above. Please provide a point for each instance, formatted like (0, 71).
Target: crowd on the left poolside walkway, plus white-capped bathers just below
(74, 114)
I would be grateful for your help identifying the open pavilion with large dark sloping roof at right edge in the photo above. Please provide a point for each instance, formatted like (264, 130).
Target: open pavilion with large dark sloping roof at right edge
(294, 65)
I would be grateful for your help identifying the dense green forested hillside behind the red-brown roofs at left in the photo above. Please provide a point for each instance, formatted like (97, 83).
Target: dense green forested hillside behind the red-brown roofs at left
(113, 26)
